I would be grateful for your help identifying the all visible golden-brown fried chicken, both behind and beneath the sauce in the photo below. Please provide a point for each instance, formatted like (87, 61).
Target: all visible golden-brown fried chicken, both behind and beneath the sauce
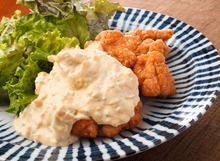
(144, 51)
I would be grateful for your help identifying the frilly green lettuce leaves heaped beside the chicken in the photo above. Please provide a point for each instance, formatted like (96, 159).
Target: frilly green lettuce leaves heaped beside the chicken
(26, 41)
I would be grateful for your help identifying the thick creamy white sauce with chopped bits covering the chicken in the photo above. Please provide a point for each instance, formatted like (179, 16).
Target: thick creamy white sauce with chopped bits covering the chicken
(83, 84)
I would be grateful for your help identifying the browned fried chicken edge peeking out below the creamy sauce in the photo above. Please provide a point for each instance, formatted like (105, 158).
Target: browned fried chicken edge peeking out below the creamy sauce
(89, 128)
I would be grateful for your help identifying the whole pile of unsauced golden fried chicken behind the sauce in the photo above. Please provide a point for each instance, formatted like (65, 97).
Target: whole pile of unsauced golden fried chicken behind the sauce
(144, 51)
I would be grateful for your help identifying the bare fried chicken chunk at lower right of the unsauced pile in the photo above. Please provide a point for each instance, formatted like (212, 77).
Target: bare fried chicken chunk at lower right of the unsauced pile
(153, 75)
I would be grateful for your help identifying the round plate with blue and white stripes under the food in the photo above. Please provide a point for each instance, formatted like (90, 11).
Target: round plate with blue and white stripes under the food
(195, 65)
